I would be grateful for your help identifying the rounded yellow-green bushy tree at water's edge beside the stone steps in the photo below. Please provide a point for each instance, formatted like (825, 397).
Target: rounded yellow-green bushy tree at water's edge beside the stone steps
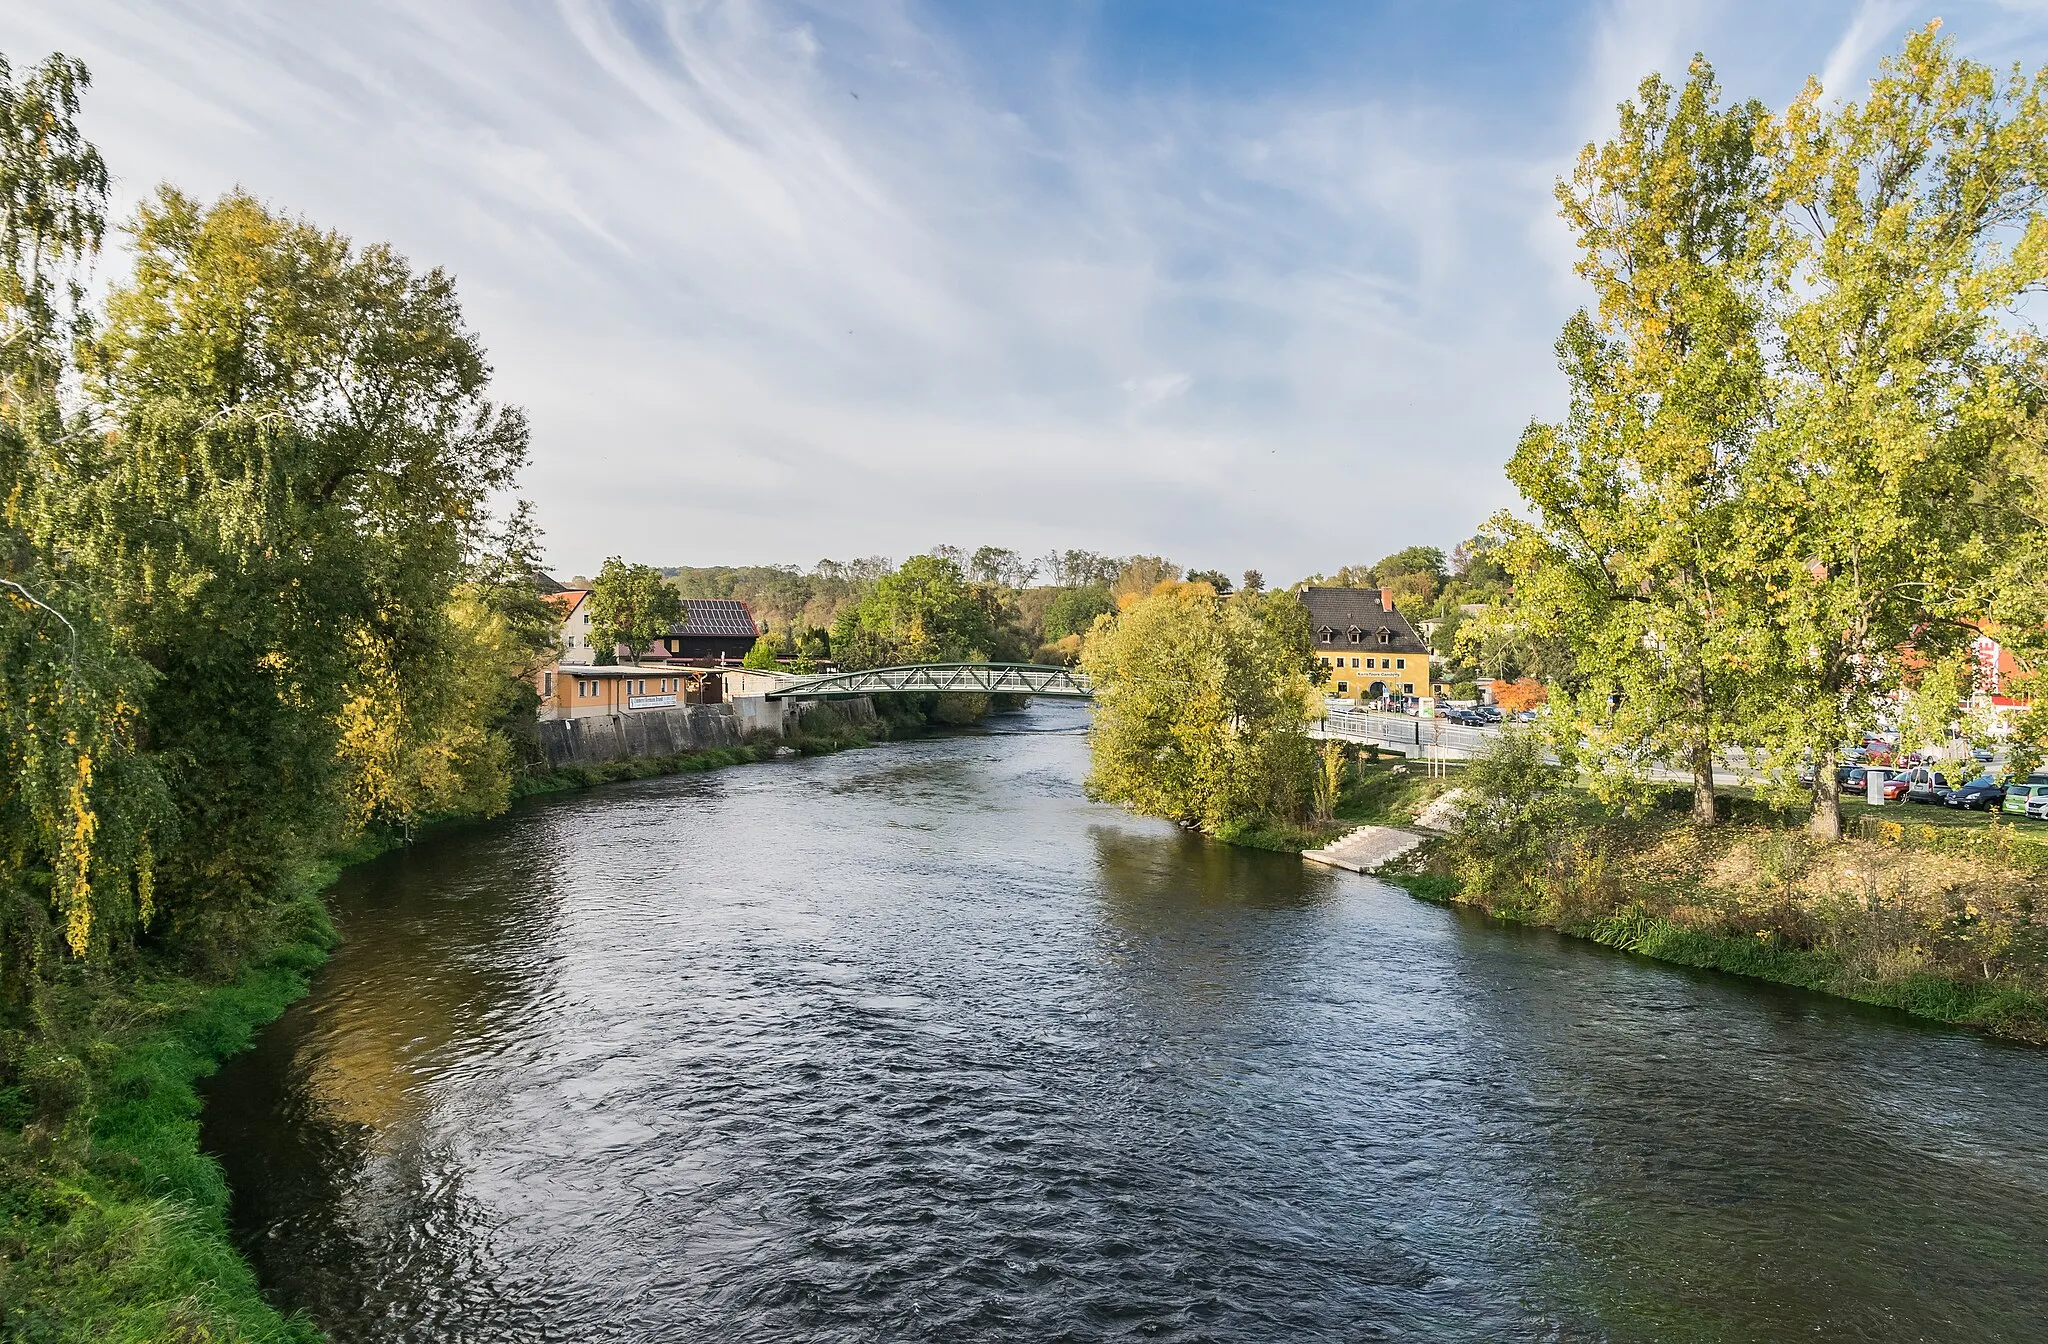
(1203, 708)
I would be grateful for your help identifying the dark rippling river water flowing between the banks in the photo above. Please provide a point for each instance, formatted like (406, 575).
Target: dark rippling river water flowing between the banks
(916, 1044)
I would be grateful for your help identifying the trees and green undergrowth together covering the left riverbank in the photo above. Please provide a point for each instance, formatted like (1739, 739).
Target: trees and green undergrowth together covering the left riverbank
(255, 612)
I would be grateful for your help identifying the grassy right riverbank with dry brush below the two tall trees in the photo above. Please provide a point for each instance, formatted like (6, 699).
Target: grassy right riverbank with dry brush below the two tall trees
(1932, 913)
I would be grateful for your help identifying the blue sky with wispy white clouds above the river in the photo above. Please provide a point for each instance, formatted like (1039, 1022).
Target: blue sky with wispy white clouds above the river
(1252, 286)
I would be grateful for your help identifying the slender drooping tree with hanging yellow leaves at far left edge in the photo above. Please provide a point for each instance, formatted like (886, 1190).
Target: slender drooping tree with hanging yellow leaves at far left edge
(81, 802)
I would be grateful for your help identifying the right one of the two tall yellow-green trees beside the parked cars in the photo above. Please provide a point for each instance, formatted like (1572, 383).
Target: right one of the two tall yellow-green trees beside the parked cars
(1902, 466)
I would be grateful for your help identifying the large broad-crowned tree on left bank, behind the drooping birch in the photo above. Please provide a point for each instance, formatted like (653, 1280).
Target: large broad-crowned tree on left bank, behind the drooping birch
(296, 474)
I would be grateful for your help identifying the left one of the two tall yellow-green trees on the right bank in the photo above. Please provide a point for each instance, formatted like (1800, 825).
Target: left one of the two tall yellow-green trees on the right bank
(1633, 554)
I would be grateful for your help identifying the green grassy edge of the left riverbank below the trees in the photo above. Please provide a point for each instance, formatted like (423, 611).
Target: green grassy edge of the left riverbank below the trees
(114, 1226)
